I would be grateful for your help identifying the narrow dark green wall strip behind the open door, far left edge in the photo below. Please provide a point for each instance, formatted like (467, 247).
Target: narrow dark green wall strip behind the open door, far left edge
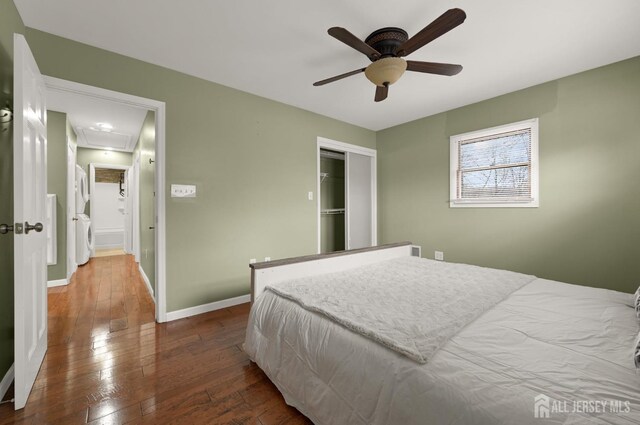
(10, 22)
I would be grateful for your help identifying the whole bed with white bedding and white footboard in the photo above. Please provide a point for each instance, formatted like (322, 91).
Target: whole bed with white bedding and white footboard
(540, 352)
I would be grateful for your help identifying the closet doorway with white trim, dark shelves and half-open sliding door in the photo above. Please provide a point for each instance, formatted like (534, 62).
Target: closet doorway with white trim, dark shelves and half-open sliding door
(346, 191)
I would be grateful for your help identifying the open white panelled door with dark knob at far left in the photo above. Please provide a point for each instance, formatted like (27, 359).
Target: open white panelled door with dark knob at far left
(30, 244)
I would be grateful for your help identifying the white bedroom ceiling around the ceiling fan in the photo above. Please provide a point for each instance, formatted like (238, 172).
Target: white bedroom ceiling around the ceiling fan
(278, 48)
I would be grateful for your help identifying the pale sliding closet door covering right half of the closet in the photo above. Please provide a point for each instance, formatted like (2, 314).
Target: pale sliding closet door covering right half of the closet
(359, 201)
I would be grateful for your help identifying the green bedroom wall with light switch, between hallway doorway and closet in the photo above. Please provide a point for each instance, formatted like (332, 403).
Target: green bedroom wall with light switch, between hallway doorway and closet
(253, 161)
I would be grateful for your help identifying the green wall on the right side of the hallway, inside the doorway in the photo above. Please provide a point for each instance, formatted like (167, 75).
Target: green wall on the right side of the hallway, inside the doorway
(146, 147)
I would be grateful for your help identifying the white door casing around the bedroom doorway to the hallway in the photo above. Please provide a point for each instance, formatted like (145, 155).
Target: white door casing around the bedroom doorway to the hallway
(159, 108)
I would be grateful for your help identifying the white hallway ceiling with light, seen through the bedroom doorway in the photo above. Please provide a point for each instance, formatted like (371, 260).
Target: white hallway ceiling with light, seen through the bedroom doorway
(87, 113)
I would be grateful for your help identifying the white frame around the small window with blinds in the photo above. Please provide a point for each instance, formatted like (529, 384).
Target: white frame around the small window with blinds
(534, 202)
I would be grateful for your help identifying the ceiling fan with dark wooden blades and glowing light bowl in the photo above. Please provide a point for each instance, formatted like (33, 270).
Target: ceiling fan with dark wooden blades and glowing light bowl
(386, 47)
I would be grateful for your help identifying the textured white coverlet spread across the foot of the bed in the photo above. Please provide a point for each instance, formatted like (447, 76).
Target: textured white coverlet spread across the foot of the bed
(411, 305)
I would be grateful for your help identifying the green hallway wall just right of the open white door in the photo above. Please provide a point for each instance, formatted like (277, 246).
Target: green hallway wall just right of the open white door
(57, 184)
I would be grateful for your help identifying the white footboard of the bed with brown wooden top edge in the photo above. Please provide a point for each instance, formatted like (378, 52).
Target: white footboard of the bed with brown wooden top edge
(269, 272)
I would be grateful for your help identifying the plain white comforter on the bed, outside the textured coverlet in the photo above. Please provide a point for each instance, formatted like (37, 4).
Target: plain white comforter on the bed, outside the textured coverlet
(549, 353)
